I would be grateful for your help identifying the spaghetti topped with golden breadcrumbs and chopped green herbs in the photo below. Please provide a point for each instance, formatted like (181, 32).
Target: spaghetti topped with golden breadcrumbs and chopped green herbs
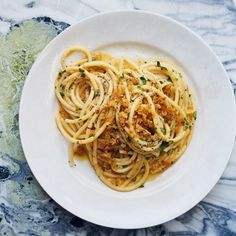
(133, 119)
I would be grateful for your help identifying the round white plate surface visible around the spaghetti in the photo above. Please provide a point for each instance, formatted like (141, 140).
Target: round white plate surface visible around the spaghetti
(78, 189)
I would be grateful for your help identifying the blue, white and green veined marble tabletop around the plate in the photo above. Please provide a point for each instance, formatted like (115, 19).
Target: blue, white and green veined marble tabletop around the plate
(26, 27)
